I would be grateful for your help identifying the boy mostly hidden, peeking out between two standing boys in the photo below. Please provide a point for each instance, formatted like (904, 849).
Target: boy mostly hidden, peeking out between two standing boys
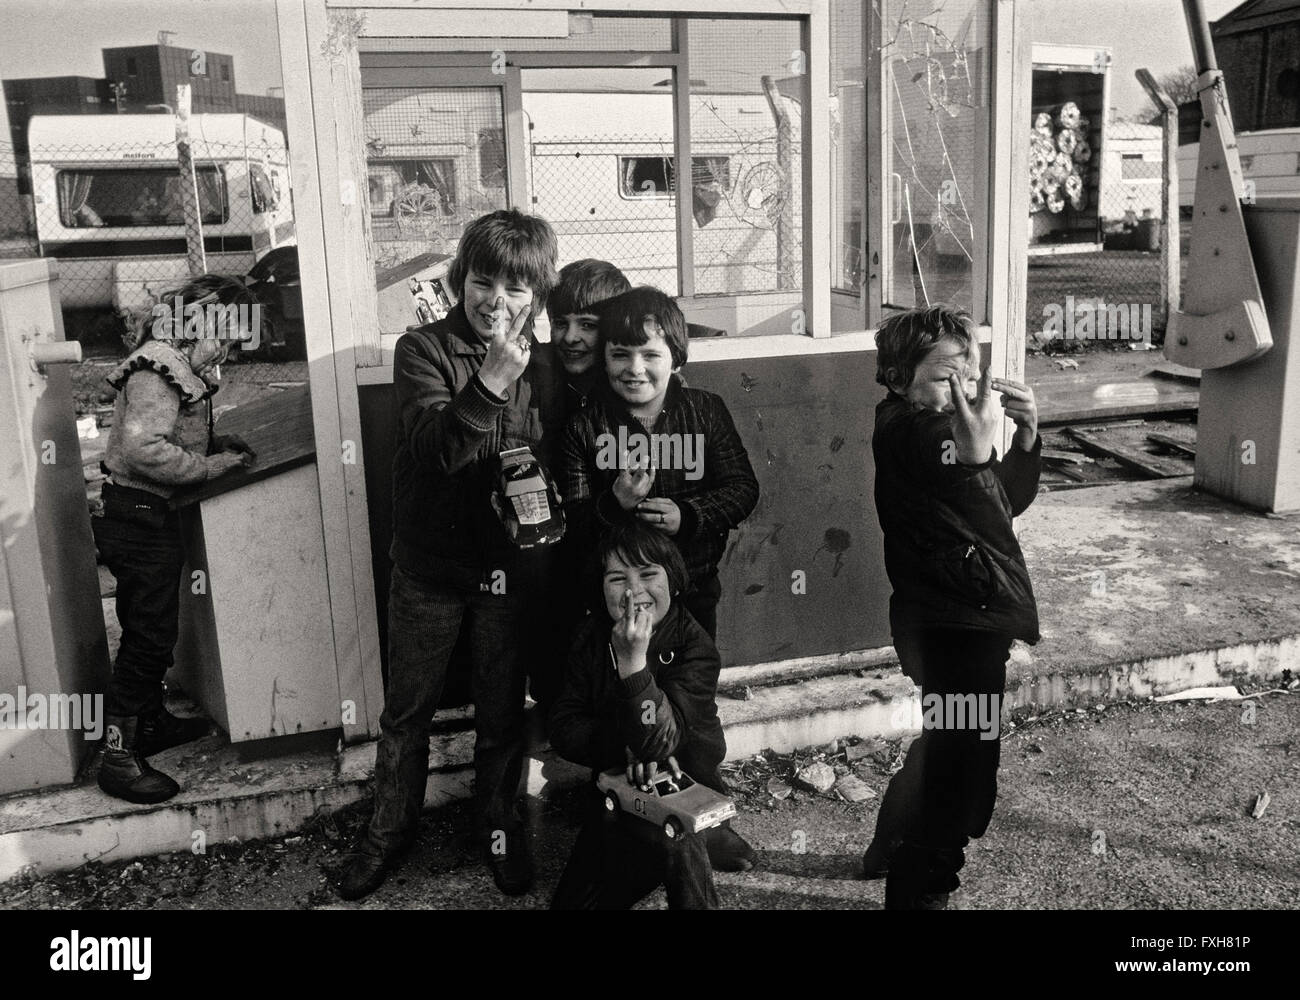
(577, 347)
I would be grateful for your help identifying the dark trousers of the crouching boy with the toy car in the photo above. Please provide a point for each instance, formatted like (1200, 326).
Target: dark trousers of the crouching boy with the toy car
(617, 864)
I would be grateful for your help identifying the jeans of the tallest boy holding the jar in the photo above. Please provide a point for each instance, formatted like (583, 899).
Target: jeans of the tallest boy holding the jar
(424, 622)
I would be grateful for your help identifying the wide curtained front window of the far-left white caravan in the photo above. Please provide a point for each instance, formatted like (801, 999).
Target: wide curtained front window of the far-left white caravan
(137, 197)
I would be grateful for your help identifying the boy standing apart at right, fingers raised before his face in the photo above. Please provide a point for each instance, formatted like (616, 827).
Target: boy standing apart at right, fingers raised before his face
(961, 591)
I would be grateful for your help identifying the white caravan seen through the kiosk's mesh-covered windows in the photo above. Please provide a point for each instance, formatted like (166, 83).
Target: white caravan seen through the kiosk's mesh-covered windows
(601, 170)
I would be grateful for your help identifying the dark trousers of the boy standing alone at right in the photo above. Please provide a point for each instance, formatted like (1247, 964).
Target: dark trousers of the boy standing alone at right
(948, 785)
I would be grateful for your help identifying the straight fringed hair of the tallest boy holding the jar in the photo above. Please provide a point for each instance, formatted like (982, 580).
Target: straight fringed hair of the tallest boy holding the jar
(508, 243)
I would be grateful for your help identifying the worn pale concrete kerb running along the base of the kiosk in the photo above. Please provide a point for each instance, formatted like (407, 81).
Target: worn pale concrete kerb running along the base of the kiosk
(799, 705)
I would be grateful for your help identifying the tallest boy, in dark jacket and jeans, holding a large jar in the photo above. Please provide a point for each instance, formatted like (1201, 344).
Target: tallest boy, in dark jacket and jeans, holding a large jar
(467, 389)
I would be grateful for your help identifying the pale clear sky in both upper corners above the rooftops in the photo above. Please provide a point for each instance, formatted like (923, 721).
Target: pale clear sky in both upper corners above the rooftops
(63, 37)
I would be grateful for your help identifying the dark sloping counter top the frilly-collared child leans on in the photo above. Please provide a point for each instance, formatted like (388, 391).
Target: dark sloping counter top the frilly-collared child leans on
(278, 428)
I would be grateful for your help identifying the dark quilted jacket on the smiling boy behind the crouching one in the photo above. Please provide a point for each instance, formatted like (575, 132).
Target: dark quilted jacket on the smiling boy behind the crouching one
(712, 507)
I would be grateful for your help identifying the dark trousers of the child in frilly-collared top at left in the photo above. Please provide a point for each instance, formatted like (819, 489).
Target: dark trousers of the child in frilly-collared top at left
(140, 542)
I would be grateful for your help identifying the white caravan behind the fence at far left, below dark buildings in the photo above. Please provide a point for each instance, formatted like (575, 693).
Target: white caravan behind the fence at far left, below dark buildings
(107, 196)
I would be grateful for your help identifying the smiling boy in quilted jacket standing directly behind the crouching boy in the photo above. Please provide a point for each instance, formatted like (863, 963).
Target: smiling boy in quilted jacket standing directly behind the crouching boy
(648, 449)
